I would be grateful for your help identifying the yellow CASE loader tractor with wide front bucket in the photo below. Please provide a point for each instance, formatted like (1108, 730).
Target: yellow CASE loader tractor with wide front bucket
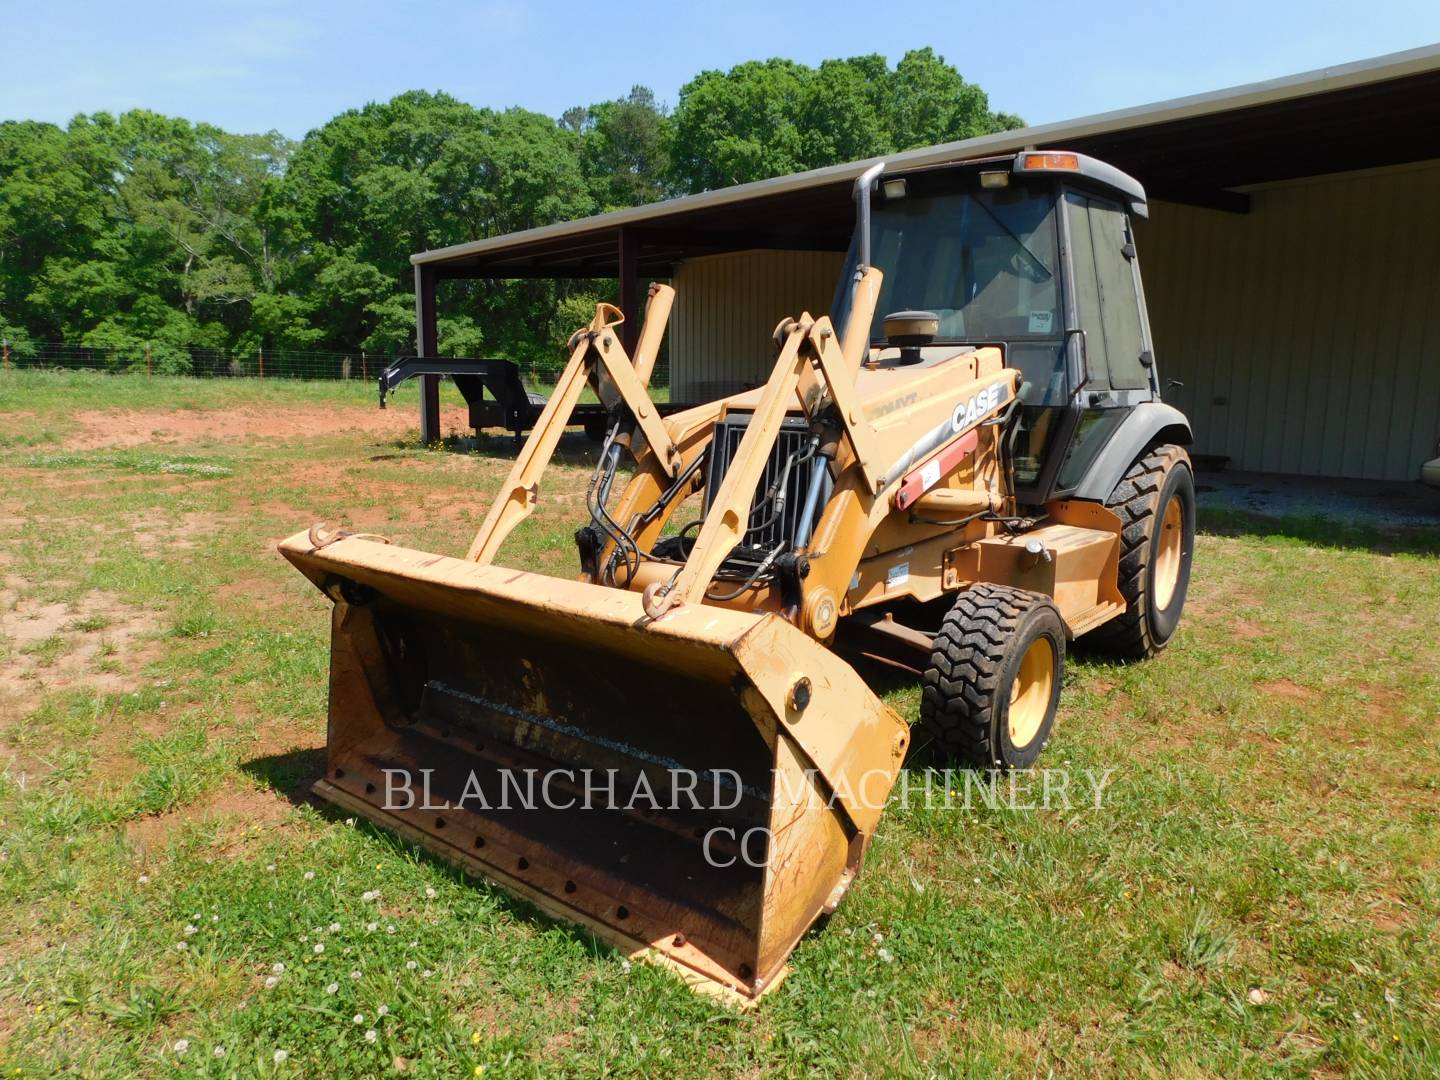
(960, 470)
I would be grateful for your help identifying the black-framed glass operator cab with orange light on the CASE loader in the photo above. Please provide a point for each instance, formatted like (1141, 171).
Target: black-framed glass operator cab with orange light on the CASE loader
(1032, 253)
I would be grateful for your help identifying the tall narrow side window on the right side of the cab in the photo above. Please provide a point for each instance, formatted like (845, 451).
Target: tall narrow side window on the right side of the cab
(1107, 299)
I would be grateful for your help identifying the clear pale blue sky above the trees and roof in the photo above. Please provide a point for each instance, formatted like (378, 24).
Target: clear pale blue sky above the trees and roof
(260, 66)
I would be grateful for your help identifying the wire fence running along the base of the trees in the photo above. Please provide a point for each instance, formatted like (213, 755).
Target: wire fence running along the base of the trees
(192, 361)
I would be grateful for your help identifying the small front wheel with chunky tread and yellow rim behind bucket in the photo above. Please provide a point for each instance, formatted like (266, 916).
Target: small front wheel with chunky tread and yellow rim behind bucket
(993, 686)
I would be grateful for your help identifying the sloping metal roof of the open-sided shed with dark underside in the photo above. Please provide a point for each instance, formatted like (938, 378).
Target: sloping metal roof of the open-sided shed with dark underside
(1205, 149)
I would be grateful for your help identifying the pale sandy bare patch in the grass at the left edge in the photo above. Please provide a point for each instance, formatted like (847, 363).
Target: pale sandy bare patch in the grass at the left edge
(97, 642)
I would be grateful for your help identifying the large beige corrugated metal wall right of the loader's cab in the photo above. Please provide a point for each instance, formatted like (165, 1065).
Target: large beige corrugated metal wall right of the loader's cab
(1307, 332)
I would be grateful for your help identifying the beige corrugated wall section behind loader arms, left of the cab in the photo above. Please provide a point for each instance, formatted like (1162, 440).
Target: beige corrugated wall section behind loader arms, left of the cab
(728, 306)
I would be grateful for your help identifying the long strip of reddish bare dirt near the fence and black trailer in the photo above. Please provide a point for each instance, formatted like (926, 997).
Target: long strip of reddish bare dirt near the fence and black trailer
(251, 424)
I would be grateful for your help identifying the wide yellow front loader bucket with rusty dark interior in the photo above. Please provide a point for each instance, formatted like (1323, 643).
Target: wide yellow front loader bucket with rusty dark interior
(702, 786)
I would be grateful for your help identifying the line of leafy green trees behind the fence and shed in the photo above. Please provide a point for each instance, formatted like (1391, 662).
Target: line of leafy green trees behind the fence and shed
(142, 228)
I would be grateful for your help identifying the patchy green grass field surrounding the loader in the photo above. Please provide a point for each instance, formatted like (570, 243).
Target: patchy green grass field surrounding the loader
(1258, 896)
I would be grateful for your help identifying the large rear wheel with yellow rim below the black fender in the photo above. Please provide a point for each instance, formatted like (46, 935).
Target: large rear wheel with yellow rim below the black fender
(1156, 502)
